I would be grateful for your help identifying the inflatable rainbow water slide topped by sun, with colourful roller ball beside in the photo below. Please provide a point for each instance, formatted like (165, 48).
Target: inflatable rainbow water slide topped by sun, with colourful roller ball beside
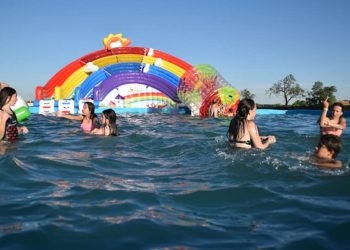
(135, 79)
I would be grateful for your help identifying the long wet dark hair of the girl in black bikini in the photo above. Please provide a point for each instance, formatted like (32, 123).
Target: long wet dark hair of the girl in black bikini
(238, 122)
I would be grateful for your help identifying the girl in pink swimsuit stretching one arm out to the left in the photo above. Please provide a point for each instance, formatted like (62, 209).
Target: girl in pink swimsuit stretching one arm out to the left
(88, 118)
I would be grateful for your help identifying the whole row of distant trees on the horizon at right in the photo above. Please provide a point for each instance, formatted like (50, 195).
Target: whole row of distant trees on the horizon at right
(289, 89)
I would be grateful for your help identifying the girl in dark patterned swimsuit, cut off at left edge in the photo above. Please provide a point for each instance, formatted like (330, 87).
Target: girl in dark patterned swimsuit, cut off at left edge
(9, 128)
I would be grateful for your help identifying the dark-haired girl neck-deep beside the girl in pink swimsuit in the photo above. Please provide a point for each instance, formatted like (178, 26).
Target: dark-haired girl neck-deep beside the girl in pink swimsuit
(109, 124)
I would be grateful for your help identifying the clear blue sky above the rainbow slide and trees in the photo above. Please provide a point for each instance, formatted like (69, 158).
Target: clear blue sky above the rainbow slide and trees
(252, 43)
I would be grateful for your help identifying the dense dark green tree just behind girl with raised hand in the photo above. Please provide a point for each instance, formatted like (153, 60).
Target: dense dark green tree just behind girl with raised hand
(318, 93)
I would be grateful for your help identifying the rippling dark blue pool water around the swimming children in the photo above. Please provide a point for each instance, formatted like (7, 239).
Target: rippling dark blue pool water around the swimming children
(171, 182)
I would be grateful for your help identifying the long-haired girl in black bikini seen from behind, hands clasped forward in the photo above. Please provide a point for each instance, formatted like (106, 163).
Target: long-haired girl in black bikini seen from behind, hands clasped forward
(243, 132)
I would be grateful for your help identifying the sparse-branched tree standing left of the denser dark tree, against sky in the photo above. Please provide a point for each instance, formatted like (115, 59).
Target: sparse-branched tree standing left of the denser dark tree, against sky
(288, 88)
